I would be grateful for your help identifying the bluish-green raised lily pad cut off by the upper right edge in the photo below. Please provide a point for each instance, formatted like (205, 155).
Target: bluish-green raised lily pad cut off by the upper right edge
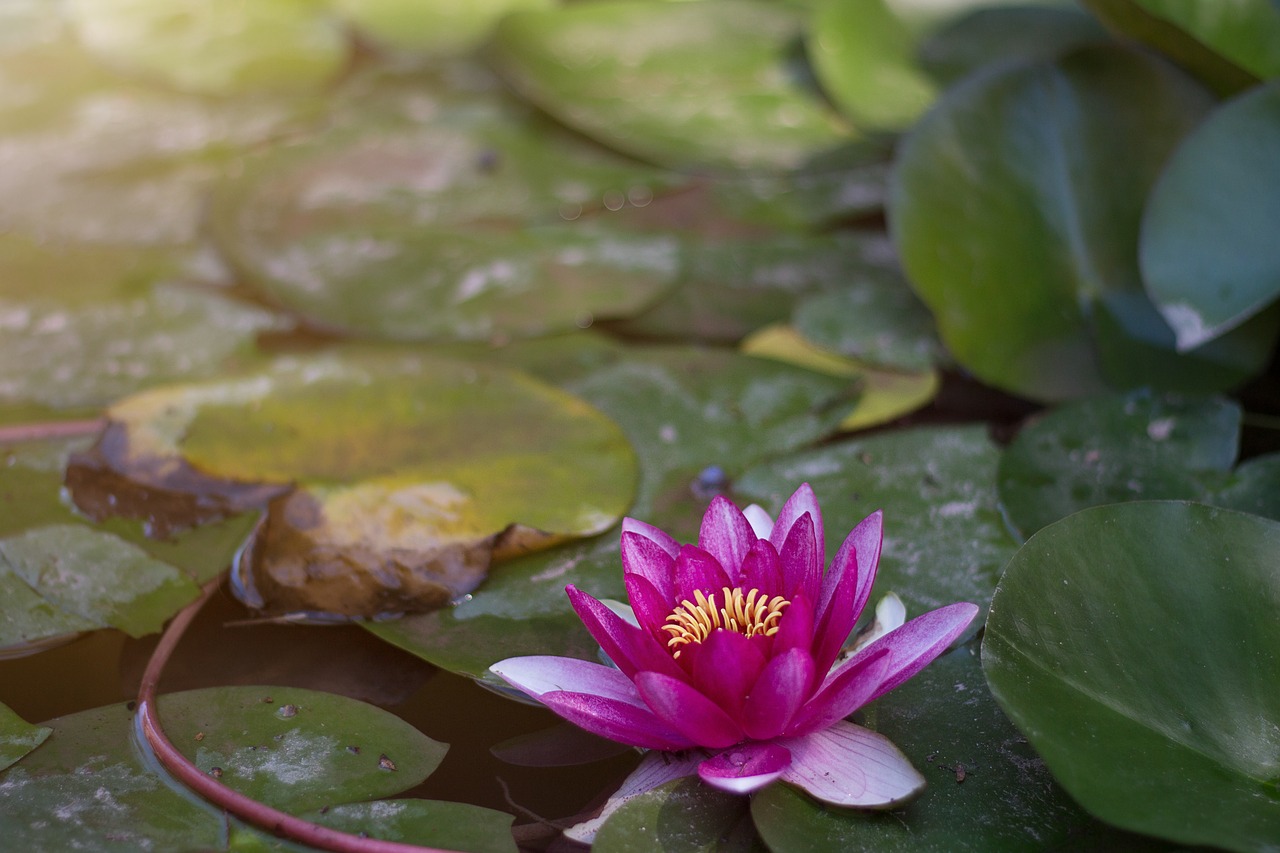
(1209, 253)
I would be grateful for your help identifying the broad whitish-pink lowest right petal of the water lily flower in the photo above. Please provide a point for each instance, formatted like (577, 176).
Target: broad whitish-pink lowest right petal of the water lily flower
(848, 765)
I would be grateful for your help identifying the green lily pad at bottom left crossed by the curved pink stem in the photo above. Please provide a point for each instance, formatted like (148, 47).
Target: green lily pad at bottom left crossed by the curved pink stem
(291, 752)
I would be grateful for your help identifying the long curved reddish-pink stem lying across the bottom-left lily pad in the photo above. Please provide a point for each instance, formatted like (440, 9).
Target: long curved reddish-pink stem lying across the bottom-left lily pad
(246, 809)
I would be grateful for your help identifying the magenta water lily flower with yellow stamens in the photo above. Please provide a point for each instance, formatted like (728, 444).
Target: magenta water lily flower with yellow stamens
(732, 663)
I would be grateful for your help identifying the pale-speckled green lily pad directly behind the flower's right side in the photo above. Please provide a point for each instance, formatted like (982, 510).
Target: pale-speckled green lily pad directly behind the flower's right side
(945, 540)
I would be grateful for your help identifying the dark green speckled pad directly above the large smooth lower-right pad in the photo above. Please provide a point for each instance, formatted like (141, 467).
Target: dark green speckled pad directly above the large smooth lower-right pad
(1130, 449)
